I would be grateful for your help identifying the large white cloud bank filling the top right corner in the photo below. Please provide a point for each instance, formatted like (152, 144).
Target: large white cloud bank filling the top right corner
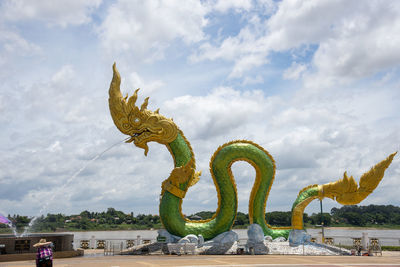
(354, 40)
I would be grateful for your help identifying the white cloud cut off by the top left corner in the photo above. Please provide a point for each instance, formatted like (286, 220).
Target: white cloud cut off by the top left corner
(62, 13)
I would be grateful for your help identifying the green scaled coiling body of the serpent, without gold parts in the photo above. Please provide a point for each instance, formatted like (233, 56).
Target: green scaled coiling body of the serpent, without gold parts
(170, 205)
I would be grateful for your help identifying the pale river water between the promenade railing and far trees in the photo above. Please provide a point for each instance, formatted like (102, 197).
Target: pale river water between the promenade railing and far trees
(343, 236)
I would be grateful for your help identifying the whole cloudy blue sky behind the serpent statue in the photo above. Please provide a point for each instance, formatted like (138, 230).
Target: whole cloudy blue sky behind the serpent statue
(316, 83)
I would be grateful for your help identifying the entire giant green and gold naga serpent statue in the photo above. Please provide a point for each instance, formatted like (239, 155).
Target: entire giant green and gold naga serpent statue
(143, 126)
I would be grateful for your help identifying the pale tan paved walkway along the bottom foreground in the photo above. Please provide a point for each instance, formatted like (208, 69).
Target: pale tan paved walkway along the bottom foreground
(95, 260)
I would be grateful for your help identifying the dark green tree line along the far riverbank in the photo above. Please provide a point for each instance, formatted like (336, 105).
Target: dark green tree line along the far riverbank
(361, 216)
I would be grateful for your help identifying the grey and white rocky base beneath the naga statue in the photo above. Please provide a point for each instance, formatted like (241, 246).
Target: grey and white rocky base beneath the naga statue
(228, 243)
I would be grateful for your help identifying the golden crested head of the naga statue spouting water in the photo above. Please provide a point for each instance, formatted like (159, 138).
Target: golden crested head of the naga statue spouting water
(141, 124)
